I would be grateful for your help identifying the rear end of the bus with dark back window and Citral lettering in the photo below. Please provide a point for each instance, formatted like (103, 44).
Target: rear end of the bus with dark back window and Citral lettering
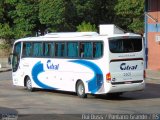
(126, 65)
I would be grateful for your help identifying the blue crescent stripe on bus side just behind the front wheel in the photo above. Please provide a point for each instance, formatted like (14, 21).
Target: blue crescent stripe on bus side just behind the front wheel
(37, 69)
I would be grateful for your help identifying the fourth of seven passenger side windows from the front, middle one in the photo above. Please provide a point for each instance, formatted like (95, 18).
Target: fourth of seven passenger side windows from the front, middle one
(60, 49)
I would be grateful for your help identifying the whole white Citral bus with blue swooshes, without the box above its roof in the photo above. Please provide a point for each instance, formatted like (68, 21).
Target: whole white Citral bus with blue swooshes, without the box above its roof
(81, 62)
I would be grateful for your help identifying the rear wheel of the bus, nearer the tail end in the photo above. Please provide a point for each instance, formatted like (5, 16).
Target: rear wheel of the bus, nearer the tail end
(80, 89)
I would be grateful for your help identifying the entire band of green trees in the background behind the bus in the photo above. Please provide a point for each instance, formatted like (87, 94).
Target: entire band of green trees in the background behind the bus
(21, 18)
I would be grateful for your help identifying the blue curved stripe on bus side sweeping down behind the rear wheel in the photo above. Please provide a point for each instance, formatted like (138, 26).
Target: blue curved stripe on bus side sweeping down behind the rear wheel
(96, 82)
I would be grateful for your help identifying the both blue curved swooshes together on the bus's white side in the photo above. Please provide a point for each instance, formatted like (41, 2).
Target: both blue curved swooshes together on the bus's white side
(94, 84)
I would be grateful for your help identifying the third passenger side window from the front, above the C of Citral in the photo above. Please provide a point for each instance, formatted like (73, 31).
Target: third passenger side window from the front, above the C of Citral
(48, 49)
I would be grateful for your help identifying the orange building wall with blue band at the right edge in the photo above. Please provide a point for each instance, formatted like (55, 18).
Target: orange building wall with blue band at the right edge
(153, 30)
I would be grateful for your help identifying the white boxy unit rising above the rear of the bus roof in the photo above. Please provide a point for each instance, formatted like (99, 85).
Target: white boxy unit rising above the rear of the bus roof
(110, 29)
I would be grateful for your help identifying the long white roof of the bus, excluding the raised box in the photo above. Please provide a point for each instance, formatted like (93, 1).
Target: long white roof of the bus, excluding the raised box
(76, 36)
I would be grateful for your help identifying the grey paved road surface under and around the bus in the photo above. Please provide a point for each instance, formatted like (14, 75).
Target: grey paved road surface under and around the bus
(53, 102)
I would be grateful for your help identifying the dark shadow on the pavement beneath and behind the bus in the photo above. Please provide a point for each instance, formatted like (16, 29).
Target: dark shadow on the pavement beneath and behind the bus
(151, 91)
